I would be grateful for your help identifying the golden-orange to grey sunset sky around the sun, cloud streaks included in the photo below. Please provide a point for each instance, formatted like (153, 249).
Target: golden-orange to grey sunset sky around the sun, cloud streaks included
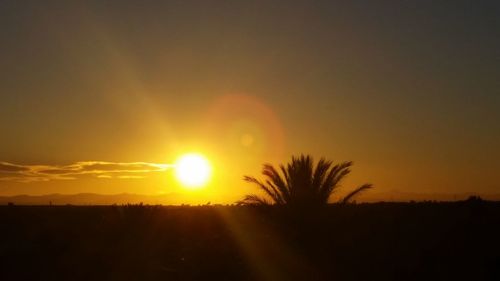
(104, 96)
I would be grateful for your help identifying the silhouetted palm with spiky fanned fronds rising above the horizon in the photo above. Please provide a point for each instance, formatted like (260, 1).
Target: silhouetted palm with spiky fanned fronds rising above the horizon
(300, 183)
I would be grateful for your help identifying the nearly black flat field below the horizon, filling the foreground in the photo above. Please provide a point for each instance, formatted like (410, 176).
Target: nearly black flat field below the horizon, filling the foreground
(384, 241)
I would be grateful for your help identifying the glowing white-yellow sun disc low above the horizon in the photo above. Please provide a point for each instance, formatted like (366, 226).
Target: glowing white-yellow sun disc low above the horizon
(193, 170)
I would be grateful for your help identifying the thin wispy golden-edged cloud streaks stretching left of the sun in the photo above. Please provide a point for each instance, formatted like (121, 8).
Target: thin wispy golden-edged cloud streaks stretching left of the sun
(97, 169)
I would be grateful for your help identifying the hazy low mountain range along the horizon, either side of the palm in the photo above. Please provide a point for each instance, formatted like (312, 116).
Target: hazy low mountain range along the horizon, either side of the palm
(177, 199)
